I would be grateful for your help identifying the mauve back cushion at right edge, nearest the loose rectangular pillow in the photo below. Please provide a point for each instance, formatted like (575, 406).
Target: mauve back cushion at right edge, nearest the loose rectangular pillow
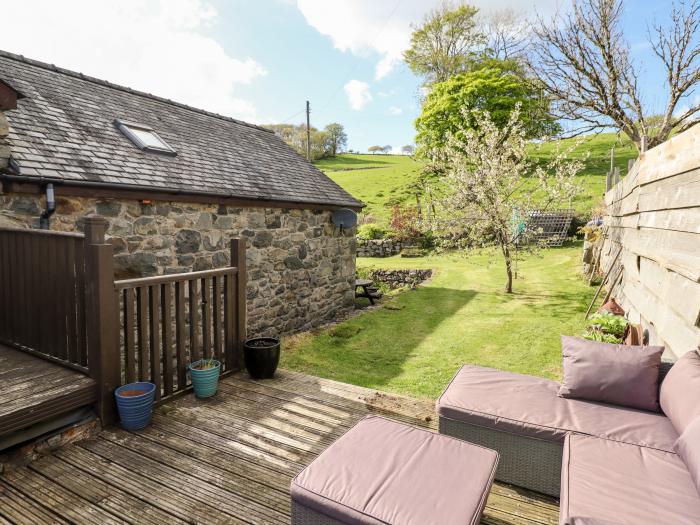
(680, 391)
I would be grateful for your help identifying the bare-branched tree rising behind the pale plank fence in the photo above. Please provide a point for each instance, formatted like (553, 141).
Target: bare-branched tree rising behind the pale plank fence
(583, 62)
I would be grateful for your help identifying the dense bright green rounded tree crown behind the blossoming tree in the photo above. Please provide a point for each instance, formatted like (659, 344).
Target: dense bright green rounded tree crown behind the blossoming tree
(496, 88)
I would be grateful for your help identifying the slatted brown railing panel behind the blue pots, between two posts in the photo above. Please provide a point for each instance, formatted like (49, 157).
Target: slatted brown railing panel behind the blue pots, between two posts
(168, 321)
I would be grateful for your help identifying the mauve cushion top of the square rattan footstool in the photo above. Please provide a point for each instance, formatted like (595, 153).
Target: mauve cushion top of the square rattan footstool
(382, 472)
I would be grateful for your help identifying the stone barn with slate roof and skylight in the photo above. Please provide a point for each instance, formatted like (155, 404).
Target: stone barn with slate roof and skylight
(175, 183)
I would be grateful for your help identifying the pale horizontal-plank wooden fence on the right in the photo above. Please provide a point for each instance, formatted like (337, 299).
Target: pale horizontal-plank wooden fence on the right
(653, 214)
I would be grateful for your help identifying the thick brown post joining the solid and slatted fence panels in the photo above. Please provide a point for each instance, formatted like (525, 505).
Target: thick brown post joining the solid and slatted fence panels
(102, 317)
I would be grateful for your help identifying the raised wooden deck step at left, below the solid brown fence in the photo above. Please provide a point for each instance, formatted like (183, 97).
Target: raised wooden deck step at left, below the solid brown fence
(33, 390)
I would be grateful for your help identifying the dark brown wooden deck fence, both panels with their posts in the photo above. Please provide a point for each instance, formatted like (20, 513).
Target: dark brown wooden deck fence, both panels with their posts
(59, 301)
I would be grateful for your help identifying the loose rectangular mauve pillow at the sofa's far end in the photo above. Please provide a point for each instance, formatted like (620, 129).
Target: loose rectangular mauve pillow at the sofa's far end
(616, 374)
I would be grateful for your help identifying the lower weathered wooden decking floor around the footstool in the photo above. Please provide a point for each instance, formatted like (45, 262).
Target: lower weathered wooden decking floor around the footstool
(228, 459)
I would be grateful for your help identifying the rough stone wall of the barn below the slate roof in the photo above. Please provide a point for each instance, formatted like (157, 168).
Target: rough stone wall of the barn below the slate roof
(301, 269)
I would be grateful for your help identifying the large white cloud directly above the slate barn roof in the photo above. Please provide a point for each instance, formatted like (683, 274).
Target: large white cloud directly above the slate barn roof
(160, 47)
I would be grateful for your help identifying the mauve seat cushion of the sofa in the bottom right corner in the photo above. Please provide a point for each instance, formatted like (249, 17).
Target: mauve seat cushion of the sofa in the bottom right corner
(606, 481)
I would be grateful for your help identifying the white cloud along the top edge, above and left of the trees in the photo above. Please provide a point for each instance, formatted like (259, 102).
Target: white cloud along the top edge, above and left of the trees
(363, 27)
